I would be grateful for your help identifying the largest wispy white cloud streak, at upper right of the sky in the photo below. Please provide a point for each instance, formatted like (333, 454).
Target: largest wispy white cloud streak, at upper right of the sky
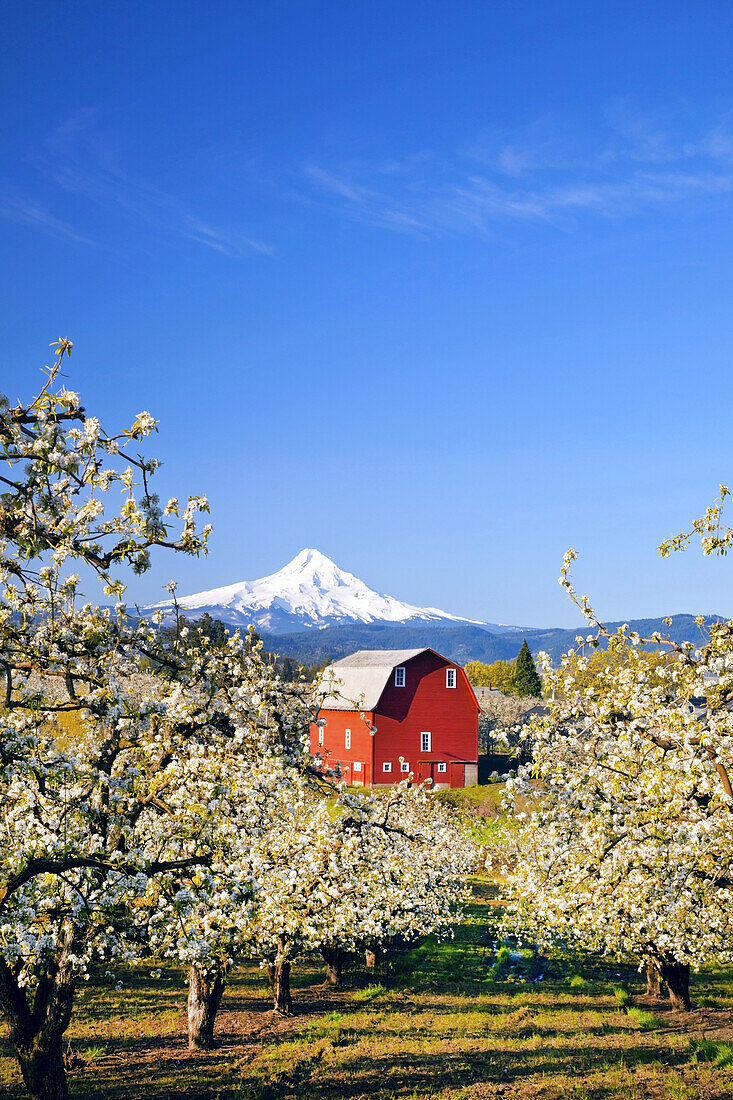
(537, 177)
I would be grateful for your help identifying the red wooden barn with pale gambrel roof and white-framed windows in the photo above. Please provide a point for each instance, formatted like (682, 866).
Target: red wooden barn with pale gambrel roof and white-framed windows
(392, 712)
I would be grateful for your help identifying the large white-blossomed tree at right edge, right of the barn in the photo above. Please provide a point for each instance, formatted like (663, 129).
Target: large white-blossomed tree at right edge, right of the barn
(627, 812)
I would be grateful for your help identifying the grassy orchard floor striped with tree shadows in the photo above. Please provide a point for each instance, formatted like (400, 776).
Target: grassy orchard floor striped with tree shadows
(444, 1021)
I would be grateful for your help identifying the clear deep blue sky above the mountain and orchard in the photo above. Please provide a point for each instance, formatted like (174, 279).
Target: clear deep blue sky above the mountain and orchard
(440, 289)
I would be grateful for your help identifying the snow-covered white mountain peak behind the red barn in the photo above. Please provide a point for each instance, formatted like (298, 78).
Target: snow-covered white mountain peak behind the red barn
(310, 592)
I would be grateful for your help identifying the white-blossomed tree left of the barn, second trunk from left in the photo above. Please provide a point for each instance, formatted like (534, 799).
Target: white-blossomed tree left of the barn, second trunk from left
(205, 921)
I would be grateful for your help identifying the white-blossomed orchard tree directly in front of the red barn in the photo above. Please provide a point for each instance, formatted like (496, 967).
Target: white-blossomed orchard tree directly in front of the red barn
(358, 871)
